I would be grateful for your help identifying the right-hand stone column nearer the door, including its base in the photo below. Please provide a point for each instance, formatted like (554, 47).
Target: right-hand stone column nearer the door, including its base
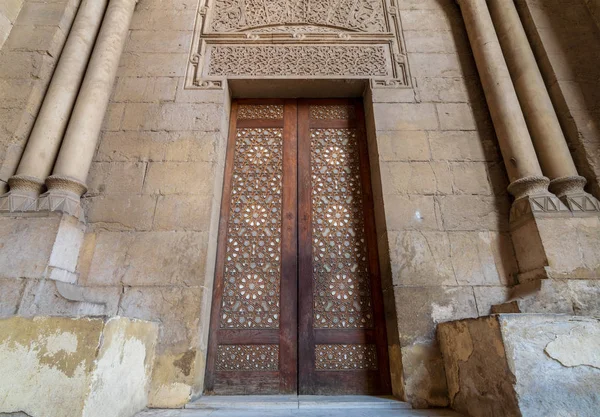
(524, 171)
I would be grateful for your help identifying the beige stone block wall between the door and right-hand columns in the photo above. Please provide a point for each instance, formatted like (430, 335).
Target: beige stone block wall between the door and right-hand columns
(444, 193)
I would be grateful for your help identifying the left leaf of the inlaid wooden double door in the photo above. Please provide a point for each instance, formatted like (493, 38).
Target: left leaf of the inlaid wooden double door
(252, 344)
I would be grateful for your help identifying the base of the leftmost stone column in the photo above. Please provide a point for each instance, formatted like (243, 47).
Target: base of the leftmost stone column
(23, 194)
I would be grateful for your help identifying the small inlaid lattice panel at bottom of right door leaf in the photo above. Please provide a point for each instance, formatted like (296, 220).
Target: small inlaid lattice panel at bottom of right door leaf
(345, 357)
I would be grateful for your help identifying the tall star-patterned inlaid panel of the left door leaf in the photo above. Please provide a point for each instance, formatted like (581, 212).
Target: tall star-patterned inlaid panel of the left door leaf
(253, 258)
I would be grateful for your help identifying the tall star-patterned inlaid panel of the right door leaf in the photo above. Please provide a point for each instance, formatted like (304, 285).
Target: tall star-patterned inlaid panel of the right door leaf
(342, 296)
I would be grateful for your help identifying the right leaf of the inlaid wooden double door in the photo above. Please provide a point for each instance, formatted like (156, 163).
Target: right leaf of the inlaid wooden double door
(343, 349)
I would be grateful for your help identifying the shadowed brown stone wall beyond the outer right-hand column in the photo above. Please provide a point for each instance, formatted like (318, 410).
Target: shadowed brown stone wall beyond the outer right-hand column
(566, 43)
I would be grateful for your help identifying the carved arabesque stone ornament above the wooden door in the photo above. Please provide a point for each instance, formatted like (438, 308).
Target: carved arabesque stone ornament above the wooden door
(307, 39)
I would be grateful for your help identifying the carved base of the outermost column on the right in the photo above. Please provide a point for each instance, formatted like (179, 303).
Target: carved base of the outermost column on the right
(570, 191)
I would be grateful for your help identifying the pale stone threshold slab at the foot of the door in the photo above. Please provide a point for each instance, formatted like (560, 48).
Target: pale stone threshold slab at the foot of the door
(297, 402)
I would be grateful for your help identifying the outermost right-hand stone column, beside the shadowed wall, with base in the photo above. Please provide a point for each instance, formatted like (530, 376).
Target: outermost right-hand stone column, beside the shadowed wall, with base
(547, 135)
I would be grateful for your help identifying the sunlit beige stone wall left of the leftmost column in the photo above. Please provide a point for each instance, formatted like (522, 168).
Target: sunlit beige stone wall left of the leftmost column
(27, 60)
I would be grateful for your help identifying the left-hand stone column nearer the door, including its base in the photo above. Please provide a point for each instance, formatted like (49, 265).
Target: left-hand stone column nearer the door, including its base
(67, 183)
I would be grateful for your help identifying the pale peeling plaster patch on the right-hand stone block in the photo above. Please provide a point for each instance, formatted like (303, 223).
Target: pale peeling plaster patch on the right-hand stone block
(581, 347)
